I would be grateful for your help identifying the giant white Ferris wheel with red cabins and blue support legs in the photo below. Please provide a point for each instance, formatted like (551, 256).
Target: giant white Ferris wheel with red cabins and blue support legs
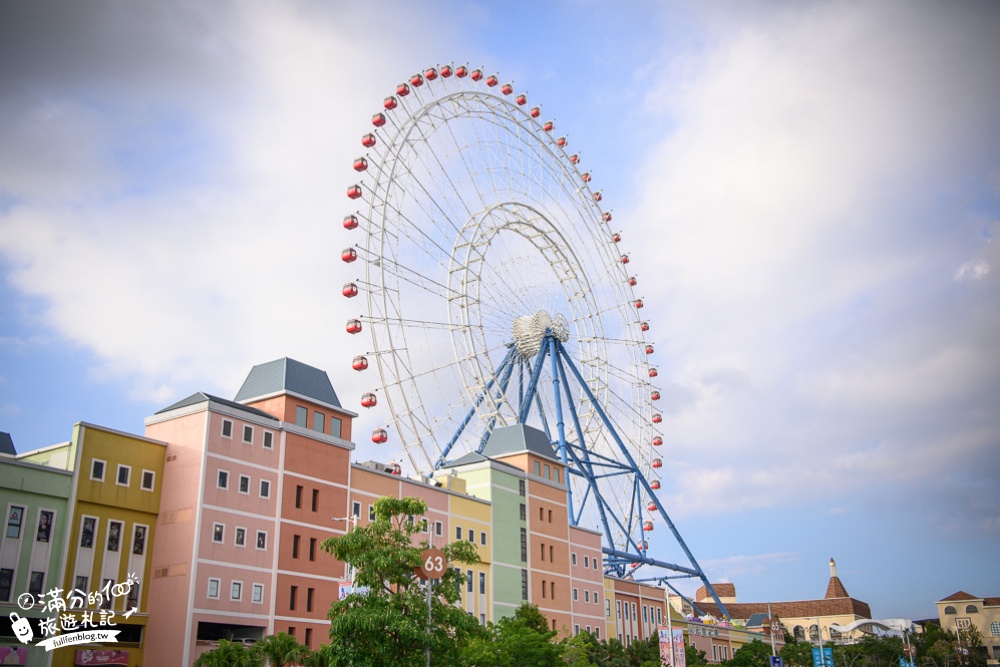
(494, 290)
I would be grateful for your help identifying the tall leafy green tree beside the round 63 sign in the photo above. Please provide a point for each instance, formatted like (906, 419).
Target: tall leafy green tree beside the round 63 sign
(386, 626)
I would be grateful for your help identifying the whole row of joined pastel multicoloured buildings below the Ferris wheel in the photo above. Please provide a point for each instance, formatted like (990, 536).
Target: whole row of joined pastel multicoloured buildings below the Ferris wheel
(209, 526)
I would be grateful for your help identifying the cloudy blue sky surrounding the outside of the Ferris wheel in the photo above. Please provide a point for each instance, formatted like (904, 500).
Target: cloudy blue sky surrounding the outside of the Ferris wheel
(810, 192)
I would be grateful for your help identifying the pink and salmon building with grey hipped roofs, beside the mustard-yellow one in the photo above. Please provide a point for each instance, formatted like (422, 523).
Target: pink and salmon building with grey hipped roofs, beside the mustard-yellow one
(249, 490)
